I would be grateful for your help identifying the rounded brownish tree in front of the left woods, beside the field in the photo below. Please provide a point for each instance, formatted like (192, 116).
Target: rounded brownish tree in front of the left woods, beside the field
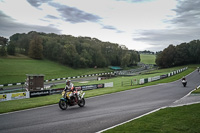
(36, 48)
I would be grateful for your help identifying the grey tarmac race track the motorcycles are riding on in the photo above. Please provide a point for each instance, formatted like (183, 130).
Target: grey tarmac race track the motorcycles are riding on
(100, 112)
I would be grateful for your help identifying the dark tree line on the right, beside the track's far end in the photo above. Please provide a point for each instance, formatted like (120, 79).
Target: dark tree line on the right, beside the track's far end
(182, 54)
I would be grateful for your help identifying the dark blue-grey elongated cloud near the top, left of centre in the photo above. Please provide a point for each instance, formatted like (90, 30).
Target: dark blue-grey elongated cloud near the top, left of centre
(74, 15)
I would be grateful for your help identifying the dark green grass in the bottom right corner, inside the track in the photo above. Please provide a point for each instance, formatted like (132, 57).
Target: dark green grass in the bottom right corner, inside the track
(184, 119)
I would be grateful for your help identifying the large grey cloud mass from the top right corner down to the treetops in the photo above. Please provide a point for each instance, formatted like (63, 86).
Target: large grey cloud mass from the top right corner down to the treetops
(184, 27)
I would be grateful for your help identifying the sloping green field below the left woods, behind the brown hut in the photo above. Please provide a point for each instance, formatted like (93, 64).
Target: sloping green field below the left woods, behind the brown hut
(14, 70)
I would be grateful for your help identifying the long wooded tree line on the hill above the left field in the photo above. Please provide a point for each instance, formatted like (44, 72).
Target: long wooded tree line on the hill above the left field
(77, 52)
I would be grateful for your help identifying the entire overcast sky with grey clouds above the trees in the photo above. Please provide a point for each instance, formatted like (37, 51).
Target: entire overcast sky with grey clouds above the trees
(138, 24)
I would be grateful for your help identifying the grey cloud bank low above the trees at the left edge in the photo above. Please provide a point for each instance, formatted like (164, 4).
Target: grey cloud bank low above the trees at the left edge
(9, 27)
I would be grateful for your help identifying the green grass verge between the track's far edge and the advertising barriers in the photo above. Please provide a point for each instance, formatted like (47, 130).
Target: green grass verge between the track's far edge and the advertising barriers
(21, 104)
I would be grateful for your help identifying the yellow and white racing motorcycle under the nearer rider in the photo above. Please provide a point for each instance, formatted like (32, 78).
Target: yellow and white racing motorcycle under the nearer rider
(71, 98)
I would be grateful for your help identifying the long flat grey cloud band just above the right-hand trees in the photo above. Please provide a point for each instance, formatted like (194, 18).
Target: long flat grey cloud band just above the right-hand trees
(168, 36)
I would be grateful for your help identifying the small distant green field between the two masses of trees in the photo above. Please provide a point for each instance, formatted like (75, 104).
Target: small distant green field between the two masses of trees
(147, 58)
